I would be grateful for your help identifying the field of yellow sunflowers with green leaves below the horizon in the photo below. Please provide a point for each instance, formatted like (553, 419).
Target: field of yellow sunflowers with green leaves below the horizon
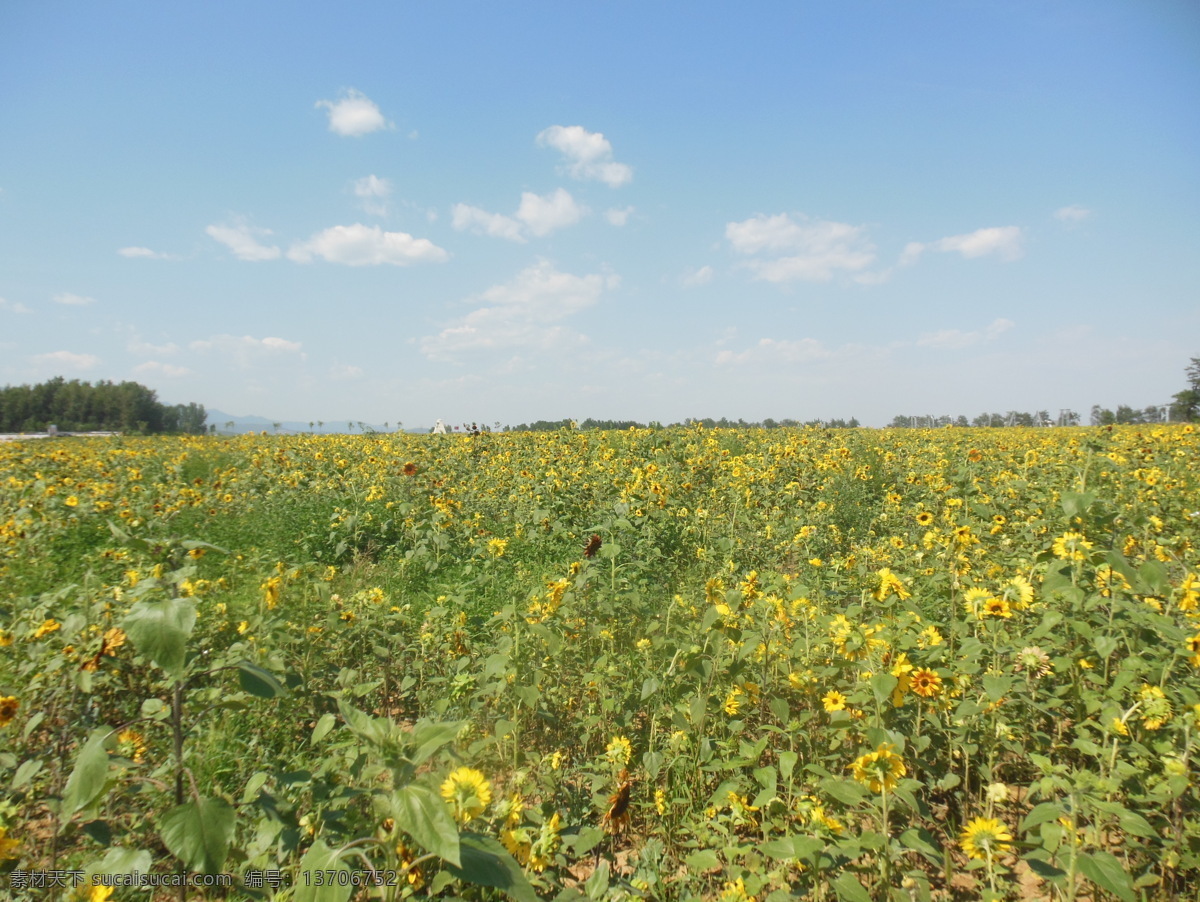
(676, 664)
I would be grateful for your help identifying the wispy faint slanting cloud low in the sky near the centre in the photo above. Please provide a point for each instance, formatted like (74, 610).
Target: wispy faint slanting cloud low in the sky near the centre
(524, 314)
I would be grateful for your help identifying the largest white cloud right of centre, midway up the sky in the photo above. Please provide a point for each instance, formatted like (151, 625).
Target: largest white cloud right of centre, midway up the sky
(783, 250)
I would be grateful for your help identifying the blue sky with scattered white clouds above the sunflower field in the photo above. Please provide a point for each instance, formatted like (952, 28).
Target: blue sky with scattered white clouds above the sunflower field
(389, 212)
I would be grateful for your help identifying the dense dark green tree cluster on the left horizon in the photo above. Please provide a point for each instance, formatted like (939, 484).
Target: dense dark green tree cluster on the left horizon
(101, 407)
